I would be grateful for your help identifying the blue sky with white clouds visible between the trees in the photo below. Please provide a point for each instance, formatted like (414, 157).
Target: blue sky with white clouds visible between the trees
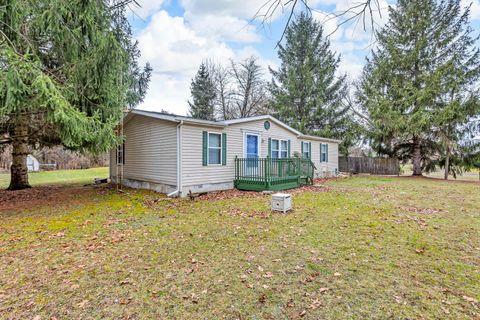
(176, 35)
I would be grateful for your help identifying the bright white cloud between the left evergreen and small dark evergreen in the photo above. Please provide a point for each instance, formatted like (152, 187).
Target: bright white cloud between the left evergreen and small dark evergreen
(175, 52)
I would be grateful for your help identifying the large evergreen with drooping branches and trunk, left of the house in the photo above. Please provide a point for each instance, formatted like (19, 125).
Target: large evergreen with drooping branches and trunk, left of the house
(67, 70)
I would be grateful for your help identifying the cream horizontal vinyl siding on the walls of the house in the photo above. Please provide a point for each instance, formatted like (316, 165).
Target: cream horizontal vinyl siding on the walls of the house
(151, 155)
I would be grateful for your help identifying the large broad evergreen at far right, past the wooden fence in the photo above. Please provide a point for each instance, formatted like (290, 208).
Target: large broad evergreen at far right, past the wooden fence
(418, 85)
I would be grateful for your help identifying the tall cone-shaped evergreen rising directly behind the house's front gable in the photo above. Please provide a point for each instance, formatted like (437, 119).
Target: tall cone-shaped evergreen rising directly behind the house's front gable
(306, 92)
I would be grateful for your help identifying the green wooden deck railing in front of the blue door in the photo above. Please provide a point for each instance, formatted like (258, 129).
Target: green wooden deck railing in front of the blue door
(268, 173)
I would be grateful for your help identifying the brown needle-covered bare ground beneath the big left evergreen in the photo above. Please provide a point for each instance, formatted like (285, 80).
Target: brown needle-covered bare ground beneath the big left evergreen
(39, 196)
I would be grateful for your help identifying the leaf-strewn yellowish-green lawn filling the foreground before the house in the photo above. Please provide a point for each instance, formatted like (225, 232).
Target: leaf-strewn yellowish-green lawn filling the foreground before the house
(359, 248)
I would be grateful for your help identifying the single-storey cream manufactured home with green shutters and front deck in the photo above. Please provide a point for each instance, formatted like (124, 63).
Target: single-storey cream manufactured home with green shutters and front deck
(178, 155)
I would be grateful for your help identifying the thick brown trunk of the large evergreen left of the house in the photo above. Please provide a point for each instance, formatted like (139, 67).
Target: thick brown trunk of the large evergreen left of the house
(19, 170)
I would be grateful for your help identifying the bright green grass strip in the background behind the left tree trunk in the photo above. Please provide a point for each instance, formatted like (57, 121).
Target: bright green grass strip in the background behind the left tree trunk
(59, 177)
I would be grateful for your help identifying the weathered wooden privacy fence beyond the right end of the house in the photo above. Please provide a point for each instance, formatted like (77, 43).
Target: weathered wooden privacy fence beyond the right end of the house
(387, 166)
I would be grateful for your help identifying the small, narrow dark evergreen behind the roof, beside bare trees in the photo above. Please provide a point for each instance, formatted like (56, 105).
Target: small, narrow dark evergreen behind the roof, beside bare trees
(202, 89)
